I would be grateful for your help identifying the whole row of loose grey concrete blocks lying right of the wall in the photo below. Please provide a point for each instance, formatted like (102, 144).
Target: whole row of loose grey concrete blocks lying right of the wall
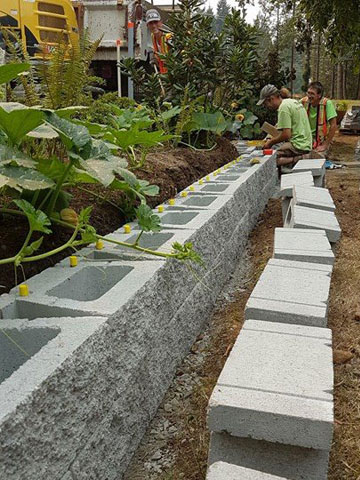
(271, 412)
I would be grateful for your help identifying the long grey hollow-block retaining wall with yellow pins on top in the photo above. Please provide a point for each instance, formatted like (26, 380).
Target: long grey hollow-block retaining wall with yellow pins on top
(104, 338)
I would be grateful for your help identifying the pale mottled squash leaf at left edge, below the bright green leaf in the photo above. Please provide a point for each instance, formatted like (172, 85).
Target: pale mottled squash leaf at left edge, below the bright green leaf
(21, 178)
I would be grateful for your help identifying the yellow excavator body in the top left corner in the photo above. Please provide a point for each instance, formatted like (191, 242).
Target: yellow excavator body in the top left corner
(40, 24)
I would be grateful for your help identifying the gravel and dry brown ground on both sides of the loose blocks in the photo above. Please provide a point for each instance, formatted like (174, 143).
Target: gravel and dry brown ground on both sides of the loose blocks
(176, 443)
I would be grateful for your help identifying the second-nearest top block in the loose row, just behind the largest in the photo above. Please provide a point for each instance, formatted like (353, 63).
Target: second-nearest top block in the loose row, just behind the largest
(291, 292)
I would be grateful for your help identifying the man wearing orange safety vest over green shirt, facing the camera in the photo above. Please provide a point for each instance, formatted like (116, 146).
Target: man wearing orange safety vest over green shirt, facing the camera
(322, 117)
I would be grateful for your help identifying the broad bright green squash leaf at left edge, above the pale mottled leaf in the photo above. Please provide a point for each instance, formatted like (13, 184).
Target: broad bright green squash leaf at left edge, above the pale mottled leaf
(17, 123)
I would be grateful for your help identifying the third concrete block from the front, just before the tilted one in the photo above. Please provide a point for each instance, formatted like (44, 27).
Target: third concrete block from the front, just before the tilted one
(303, 245)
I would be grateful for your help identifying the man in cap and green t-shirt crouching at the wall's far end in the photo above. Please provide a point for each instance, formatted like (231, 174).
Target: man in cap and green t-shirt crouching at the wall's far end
(293, 123)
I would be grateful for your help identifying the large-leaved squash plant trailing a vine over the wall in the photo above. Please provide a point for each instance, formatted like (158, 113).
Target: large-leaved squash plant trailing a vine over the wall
(36, 184)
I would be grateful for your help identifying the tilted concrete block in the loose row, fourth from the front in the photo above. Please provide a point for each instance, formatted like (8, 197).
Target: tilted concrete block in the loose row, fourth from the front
(304, 217)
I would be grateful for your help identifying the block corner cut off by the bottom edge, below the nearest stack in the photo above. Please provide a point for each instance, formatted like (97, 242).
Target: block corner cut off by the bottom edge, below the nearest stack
(227, 471)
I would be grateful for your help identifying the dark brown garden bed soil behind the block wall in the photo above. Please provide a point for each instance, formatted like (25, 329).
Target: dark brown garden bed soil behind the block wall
(172, 170)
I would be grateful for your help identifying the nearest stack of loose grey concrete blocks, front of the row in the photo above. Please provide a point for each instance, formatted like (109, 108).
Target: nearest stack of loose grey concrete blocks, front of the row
(274, 394)
